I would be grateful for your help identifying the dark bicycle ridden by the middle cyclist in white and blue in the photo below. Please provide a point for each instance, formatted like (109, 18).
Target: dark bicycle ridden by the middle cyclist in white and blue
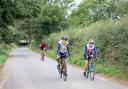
(62, 70)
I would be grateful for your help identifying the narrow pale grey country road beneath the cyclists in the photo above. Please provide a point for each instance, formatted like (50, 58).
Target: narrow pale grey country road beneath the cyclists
(25, 70)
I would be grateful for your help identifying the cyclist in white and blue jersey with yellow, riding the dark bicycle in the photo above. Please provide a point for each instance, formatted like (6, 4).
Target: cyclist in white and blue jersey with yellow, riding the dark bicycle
(62, 51)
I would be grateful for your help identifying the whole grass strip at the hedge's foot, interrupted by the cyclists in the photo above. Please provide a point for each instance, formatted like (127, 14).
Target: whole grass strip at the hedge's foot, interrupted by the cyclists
(100, 67)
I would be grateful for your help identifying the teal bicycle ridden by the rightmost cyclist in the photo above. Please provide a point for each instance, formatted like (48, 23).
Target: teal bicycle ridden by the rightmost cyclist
(90, 69)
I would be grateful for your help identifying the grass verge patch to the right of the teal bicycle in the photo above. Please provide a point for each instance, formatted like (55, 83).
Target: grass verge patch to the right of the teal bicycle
(111, 71)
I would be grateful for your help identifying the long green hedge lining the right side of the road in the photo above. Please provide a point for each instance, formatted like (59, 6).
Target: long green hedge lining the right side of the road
(110, 40)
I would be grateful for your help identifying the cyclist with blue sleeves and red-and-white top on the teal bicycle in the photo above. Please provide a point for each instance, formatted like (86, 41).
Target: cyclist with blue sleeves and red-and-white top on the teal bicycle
(89, 49)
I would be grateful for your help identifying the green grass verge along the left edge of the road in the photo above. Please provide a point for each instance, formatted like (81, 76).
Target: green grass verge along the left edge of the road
(4, 52)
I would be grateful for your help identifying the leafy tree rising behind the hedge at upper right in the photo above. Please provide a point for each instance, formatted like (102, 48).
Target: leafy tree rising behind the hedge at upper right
(91, 11)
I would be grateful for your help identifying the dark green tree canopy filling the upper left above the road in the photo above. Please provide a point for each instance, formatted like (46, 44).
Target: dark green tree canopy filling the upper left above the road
(31, 17)
